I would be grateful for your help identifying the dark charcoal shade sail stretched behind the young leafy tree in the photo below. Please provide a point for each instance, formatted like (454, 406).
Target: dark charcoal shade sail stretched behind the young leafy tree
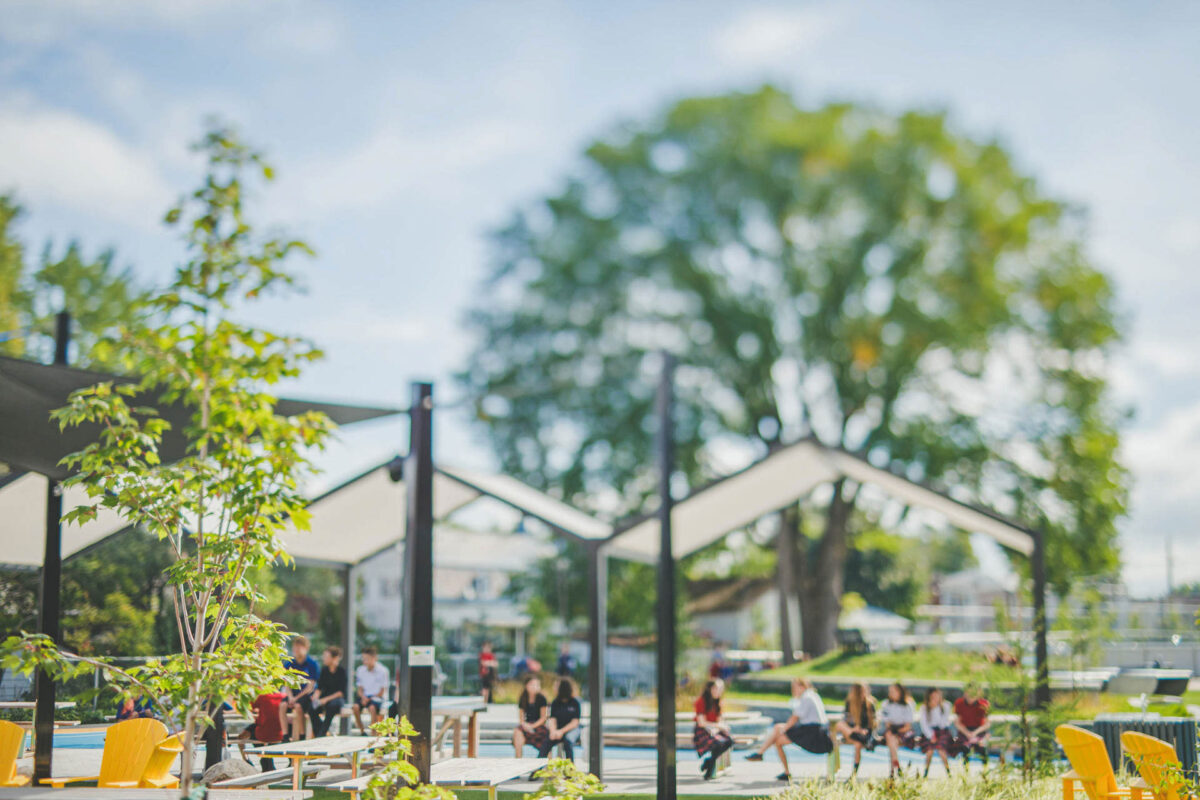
(32, 442)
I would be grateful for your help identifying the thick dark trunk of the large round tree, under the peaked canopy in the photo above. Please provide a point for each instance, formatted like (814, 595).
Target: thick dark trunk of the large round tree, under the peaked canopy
(821, 587)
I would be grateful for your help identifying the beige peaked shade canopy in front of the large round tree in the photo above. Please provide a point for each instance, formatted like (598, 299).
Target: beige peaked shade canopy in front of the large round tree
(784, 478)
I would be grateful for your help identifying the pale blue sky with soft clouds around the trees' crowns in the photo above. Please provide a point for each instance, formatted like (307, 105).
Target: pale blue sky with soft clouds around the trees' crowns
(405, 133)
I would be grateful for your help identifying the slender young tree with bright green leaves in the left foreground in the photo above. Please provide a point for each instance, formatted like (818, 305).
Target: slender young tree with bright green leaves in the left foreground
(223, 507)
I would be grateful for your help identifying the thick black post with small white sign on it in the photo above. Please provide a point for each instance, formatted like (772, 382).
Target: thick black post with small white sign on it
(419, 579)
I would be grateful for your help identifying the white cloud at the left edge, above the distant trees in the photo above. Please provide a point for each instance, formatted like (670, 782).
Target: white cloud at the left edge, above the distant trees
(57, 158)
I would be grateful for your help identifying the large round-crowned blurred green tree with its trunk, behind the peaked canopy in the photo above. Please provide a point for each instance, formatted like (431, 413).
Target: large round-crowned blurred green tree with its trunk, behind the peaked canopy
(880, 281)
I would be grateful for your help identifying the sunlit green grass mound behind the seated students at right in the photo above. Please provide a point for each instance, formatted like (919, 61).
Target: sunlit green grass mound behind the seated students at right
(911, 665)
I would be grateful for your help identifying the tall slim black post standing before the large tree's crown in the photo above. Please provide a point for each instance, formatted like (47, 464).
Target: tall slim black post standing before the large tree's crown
(667, 611)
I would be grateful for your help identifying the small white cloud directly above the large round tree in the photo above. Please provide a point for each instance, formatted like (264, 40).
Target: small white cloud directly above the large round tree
(765, 37)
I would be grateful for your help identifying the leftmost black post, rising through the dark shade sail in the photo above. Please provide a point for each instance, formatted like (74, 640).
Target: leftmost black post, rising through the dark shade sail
(50, 601)
